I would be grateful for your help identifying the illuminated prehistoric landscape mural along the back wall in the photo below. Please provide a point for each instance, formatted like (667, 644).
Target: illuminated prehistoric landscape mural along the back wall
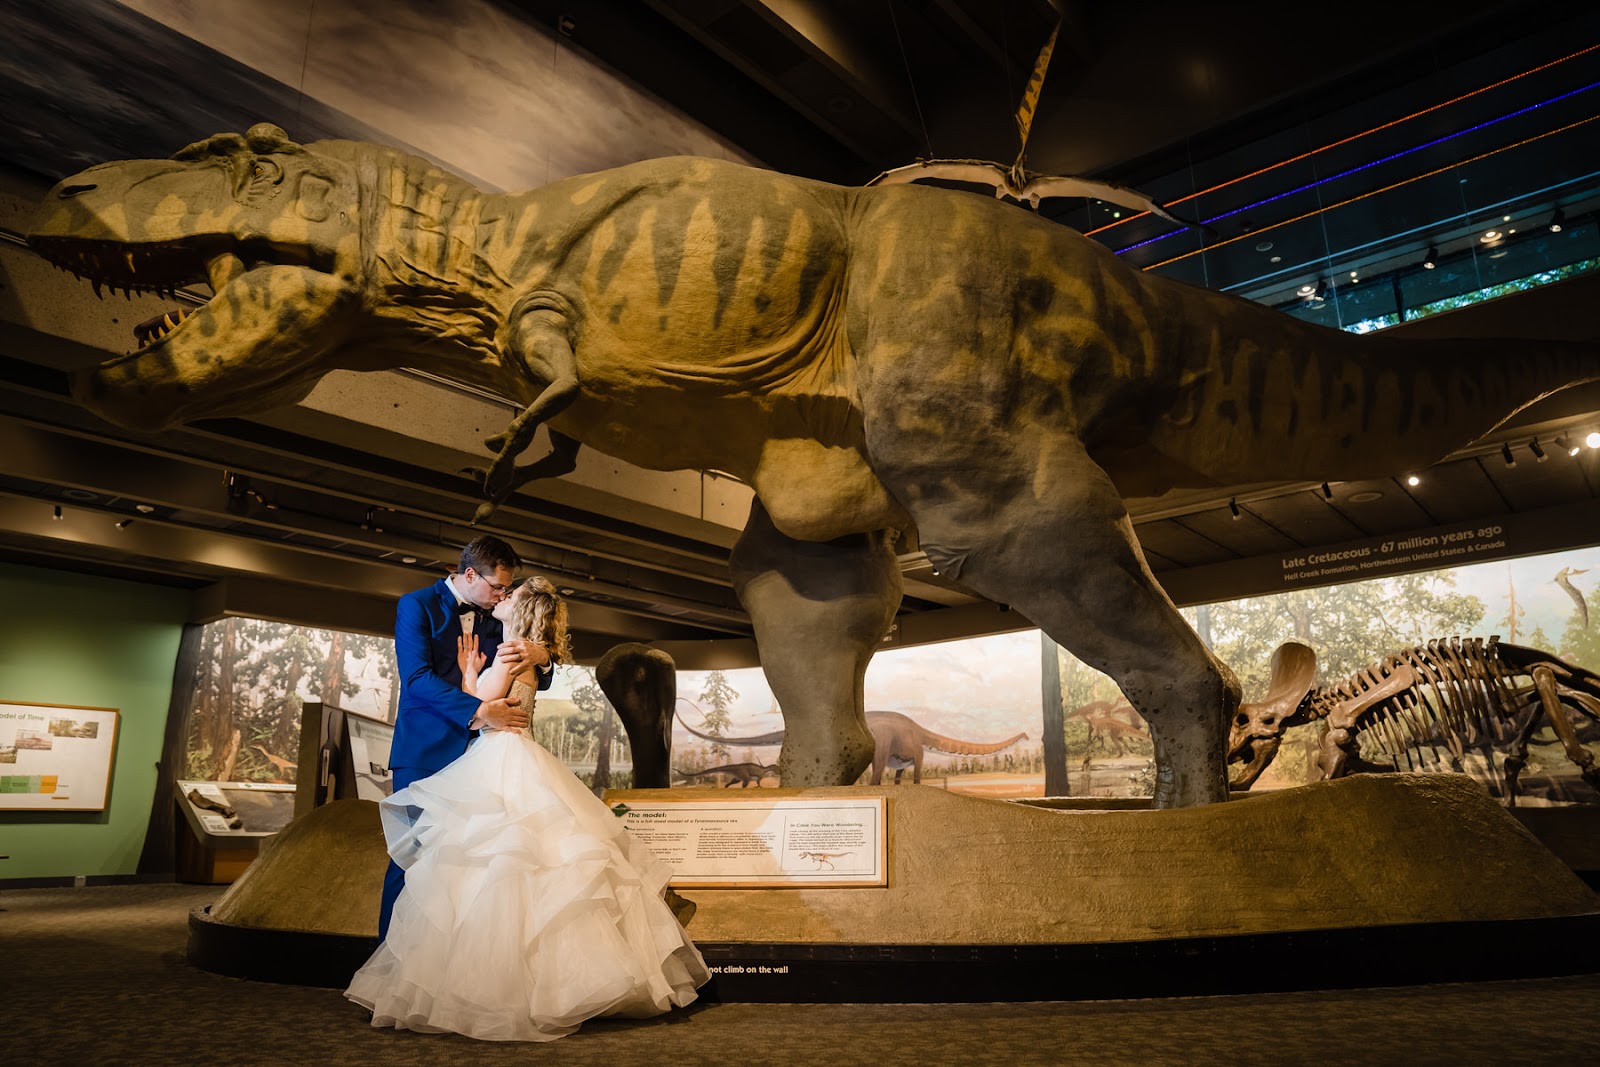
(975, 708)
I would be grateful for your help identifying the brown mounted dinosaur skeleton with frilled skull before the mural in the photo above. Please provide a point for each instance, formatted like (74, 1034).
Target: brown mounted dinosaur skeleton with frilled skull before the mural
(1455, 695)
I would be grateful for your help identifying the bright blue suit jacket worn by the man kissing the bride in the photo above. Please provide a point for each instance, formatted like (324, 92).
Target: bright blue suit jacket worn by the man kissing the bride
(431, 724)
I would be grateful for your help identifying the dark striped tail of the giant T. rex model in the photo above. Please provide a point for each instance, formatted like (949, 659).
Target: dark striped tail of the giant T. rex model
(1265, 398)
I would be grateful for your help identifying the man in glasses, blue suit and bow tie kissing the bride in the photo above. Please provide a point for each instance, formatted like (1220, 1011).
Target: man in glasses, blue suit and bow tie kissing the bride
(436, 719)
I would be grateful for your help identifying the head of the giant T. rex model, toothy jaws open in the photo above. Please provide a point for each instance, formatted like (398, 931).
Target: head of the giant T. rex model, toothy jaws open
(273, 226)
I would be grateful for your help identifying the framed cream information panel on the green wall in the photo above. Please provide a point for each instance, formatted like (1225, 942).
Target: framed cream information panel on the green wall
(57, 757)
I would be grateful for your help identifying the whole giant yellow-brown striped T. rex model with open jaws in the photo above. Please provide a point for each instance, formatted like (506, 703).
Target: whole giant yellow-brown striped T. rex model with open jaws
(865, 359)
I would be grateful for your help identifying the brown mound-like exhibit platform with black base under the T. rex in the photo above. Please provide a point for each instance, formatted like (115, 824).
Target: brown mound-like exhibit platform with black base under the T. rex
(1374, 881)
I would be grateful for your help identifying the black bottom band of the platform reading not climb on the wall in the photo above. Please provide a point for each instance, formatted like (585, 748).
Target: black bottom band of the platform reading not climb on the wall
(882, 973)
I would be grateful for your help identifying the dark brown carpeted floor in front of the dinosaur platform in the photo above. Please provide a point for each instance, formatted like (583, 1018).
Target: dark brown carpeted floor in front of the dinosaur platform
(98, 977)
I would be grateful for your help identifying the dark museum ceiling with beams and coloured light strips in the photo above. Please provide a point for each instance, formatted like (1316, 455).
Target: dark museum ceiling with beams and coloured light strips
(327, 511)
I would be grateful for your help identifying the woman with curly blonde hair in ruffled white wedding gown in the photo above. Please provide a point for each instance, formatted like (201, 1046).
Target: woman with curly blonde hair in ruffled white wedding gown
(527, 906)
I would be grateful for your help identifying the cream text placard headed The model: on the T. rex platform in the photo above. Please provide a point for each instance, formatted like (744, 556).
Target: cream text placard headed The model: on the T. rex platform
(778, 844)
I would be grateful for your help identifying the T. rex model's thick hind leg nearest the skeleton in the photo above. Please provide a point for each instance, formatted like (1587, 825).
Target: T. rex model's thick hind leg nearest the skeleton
(1033, 522)
